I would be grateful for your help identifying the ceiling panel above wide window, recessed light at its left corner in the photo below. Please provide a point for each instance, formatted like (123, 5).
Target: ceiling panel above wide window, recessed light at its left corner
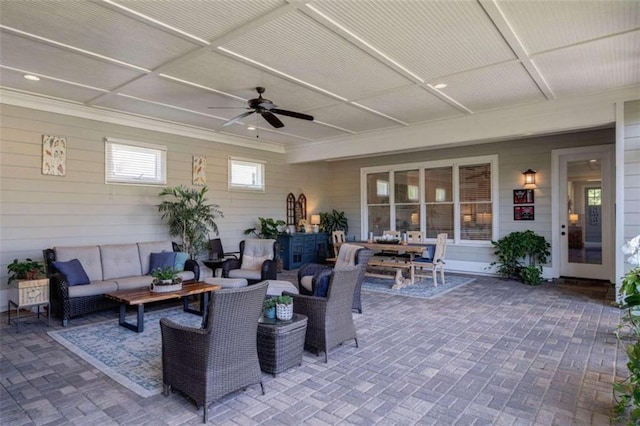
(493, 87)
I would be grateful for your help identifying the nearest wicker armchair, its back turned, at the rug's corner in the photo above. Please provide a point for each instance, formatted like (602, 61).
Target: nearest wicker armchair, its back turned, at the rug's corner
(208, 363)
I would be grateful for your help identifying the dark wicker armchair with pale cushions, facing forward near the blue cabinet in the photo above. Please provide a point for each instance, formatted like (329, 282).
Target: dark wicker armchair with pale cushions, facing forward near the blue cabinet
(250, 266)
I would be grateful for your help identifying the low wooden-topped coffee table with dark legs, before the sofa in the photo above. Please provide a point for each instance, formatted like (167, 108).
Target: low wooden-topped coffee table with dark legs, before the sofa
(138, 297)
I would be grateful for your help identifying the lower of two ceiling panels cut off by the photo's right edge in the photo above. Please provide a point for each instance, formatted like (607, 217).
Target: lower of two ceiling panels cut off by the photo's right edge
(601, 65)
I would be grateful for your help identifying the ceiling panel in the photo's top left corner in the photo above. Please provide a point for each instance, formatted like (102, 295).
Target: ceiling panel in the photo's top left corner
(87, 25)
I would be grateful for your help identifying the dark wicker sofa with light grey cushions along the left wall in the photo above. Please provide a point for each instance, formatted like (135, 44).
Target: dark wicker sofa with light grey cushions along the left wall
(109, 268)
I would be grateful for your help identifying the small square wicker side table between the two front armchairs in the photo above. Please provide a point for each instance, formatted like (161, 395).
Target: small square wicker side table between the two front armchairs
(281, 343)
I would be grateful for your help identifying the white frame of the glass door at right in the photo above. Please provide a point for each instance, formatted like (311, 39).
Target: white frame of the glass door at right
(608, 188)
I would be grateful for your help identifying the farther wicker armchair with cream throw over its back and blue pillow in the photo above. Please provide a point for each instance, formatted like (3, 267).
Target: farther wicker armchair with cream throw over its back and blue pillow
(319, 274)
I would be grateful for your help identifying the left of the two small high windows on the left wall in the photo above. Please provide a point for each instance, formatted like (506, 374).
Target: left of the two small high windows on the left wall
(135, 163)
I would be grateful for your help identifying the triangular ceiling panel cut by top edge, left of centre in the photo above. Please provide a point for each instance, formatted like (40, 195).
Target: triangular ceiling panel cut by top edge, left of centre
(210, 20)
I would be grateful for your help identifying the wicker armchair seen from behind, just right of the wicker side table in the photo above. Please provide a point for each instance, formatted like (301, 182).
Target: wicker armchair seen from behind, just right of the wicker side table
(329, 319)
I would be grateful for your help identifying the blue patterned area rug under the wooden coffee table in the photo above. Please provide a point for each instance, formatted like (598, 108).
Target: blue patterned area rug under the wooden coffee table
(132, 359)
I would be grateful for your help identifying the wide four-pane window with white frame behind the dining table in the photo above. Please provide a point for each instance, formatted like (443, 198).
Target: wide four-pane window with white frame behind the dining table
(454, 197)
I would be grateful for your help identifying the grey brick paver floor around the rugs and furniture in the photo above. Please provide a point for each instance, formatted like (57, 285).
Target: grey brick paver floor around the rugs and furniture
(491, 352)
